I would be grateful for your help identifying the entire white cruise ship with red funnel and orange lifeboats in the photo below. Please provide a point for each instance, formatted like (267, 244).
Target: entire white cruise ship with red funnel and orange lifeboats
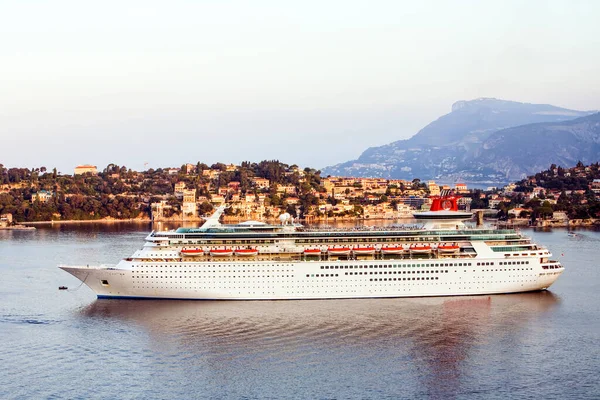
(252, 260)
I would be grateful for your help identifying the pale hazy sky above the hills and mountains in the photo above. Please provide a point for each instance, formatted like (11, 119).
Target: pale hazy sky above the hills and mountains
(307, 82)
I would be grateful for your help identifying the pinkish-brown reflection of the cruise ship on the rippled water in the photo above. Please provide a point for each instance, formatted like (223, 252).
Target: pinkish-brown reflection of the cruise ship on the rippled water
(433, 337)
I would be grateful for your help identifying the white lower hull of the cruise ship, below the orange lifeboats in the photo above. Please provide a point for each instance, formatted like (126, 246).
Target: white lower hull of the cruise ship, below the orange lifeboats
(312, 280)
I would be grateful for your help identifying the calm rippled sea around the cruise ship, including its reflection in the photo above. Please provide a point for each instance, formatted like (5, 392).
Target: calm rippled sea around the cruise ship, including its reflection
(68, 344)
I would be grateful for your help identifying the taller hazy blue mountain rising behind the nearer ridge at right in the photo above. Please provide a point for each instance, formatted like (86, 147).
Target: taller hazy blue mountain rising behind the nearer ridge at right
(460, 145)
